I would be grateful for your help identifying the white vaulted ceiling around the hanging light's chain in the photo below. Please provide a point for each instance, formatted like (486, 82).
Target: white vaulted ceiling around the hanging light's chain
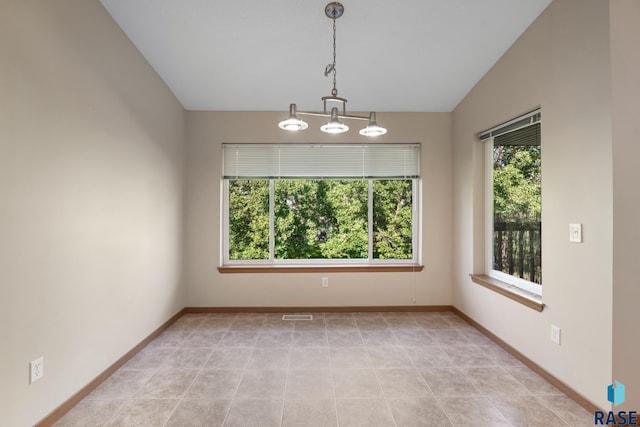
(402, 55)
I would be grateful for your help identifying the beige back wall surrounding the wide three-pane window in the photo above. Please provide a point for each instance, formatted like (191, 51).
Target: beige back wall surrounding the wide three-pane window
(207, 287)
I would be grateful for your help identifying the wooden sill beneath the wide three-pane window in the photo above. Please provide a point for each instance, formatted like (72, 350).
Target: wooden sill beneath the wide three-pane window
(393, 268)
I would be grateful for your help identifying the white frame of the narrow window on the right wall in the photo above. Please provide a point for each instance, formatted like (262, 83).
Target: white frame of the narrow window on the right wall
(488, 140)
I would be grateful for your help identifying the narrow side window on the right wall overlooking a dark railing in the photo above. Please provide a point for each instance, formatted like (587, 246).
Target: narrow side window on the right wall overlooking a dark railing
(514, 194)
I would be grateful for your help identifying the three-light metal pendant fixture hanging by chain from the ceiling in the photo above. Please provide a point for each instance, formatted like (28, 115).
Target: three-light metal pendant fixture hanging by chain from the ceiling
(333, 10)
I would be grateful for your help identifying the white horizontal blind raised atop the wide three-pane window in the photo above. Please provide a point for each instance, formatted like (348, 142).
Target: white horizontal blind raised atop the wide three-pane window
(273, 161)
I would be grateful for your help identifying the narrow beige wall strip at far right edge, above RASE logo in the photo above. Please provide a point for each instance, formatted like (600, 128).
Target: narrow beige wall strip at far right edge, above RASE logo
(625, 63)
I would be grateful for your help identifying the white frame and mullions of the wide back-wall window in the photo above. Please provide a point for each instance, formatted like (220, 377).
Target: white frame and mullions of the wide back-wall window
(416, 221)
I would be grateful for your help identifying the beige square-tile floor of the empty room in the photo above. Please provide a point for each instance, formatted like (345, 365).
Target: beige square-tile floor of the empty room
(340, 369)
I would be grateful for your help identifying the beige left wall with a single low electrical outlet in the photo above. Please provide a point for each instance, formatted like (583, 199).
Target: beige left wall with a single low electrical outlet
(90, 213)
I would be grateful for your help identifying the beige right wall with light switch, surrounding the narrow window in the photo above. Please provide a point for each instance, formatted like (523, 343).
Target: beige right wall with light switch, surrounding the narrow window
(561, 63)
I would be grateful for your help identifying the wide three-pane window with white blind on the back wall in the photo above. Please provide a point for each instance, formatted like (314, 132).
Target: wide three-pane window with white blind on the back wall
(294, 203)
